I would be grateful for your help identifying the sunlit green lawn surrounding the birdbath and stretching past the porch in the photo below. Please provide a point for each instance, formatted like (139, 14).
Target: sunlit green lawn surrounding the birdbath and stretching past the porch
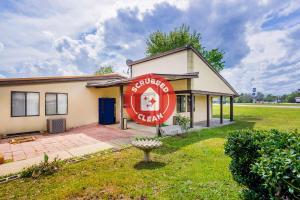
(190, 167)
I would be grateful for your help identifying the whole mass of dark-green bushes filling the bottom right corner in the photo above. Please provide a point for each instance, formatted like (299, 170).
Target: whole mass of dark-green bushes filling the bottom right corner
(267, 163)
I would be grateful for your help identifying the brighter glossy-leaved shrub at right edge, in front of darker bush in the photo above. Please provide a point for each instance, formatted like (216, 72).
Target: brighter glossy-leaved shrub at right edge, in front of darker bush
(279, 164)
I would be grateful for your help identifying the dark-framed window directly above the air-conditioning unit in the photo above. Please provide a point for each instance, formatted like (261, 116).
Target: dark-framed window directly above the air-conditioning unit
(56, 104)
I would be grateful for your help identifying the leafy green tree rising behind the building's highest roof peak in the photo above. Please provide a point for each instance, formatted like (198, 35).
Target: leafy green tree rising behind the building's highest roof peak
(159, 42)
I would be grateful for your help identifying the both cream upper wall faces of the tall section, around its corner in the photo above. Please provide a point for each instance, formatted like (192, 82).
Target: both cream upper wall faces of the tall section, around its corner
(184, 62)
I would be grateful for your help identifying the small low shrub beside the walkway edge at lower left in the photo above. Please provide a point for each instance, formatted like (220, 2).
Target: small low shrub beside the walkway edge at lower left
(44, 168)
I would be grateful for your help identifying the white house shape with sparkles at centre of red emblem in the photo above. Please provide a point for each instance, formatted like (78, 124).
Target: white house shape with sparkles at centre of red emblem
(150, 100)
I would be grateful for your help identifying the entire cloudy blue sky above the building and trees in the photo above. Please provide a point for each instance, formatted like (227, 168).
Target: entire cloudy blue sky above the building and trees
(261, 39)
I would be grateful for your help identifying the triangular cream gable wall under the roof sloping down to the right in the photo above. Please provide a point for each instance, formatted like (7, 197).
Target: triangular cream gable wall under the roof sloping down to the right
(207, 80)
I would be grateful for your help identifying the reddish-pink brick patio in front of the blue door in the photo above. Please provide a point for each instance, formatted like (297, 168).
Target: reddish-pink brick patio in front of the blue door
(74, 138)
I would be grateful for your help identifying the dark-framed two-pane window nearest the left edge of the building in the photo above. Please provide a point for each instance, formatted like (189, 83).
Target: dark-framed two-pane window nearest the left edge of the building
(25, 104)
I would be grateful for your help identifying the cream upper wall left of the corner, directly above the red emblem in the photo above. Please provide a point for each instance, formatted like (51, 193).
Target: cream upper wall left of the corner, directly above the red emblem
(170, 64)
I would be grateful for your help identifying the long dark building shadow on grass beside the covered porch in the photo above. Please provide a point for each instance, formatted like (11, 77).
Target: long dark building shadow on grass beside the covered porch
(172, 144)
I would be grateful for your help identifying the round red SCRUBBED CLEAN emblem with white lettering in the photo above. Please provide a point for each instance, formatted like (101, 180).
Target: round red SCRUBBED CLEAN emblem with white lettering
(150, 100)
